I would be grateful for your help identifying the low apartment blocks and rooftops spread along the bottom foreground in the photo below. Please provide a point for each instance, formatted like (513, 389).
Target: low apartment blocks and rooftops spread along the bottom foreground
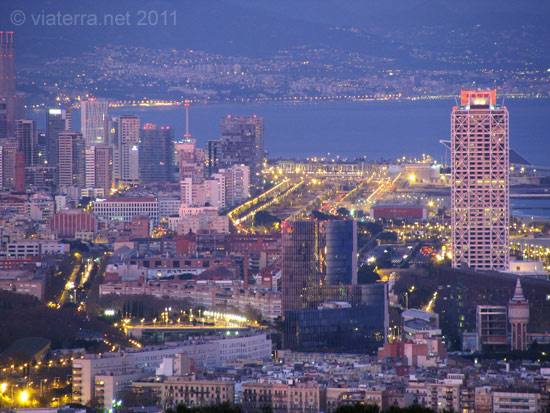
(217, 371)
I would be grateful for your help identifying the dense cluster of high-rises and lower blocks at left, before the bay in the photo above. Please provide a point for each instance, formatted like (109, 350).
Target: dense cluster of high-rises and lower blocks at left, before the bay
(116, 178)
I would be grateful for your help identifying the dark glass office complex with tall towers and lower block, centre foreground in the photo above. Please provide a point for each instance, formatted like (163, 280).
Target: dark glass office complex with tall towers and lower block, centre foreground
(324, 307)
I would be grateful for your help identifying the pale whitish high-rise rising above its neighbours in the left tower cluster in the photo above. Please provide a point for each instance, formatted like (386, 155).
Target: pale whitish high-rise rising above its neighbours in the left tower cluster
(93, 115)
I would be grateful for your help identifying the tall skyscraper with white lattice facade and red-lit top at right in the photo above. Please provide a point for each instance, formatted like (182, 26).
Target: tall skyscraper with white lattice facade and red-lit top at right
(480, 195)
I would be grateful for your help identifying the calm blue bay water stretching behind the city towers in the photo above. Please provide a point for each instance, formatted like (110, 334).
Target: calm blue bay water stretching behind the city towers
(375, 129)
